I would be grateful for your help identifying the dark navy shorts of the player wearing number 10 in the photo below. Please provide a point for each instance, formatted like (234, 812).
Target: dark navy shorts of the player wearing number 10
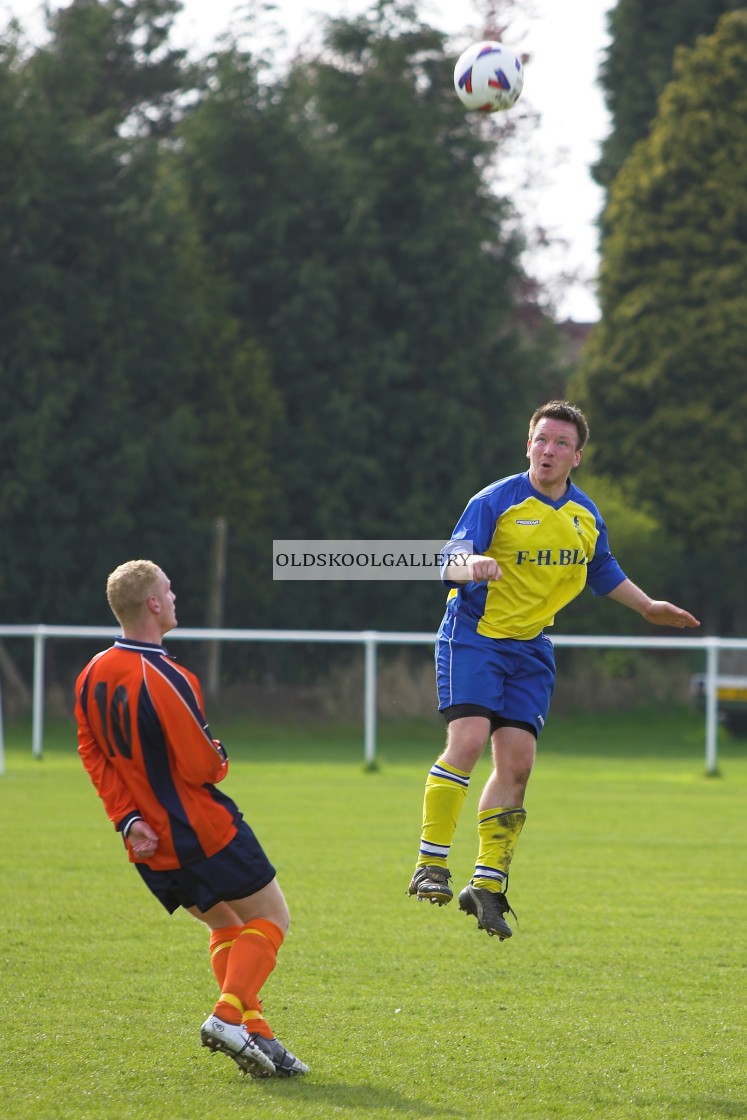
(238, 871)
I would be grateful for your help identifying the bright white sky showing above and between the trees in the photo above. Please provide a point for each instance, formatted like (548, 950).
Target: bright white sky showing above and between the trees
(565, 43)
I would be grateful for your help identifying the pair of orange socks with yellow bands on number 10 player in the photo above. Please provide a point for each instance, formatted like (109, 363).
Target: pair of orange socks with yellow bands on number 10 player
(250, 962)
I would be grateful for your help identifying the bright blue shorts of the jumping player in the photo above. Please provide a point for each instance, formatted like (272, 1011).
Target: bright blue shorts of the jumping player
(509, 678)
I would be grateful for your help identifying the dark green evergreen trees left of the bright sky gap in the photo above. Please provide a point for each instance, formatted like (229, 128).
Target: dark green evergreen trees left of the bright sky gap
(286, 301)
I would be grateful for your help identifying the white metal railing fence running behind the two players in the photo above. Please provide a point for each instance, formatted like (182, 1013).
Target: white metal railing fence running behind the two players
(371, 641)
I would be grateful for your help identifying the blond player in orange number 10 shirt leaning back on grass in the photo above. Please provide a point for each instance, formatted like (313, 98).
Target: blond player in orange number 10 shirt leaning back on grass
(146, 744)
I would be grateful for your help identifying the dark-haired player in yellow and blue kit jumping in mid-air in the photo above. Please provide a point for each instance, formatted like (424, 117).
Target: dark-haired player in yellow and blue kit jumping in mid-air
(524, 549)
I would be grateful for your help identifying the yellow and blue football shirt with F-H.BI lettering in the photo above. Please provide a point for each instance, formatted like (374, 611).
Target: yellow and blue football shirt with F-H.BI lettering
(547, 553)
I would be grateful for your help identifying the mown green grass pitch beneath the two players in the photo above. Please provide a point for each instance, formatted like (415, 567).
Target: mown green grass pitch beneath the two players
(622, 994)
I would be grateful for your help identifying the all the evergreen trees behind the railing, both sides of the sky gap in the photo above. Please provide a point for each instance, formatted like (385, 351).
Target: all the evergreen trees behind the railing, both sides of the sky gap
(292, 301)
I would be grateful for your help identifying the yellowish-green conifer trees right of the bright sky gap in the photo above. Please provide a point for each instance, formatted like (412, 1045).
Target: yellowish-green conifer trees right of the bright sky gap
(665, 376)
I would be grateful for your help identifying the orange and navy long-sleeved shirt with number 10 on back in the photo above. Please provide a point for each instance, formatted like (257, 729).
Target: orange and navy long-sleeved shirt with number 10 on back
(146, 744)
